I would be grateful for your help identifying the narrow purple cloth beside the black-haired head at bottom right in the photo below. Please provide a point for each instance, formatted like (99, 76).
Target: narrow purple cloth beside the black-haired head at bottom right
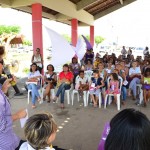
(105, 133)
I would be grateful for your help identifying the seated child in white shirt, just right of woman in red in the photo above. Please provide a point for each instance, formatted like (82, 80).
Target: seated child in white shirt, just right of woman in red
(81, 82)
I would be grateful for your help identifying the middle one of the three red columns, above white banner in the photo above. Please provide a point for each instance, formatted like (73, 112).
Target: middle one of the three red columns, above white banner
(74, 31)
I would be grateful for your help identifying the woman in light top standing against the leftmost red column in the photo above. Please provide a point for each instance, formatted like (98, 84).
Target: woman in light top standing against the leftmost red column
(37, 58)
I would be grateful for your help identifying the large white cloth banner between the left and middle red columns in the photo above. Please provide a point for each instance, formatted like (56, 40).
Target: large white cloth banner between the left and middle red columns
(62, 51)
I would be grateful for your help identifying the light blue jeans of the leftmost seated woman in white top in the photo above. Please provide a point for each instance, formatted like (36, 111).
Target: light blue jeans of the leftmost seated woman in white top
(34, 89)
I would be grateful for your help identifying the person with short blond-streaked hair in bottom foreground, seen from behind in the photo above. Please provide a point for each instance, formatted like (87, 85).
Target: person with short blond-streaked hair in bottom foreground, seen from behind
(40, 132)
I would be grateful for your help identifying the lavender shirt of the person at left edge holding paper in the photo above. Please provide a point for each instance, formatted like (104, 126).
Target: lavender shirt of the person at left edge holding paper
(8, 139)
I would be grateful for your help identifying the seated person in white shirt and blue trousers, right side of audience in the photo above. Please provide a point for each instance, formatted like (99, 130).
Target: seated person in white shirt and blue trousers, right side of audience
(134, 75)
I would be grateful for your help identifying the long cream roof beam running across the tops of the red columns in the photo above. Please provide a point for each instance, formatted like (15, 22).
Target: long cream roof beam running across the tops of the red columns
(69, 9)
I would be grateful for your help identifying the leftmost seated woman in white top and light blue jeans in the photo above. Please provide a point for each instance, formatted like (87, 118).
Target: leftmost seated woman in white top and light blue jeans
(34, 77)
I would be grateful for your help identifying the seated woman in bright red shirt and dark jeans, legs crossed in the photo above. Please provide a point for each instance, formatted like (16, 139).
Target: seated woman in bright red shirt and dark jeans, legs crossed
(65, 80)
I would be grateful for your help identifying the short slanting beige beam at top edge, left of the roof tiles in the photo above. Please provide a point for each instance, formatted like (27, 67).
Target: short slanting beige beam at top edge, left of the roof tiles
(84, 3)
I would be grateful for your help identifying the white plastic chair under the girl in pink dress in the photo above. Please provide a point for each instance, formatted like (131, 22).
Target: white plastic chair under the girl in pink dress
(118, 95)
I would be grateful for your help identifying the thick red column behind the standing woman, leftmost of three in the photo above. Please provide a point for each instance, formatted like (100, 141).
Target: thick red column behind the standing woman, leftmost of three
(37, 27)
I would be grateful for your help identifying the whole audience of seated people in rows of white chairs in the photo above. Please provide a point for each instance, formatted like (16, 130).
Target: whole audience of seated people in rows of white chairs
(132, 72)
